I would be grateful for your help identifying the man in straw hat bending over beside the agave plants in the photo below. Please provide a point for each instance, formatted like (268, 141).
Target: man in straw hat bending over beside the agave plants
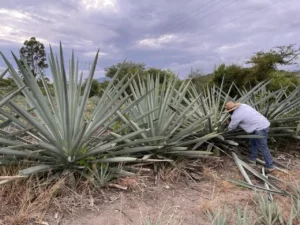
(252, 122)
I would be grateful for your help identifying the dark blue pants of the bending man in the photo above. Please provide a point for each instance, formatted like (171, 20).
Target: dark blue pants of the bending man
(257, 144)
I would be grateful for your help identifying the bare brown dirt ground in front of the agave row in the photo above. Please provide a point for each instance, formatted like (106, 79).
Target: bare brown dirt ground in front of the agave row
(185, 202)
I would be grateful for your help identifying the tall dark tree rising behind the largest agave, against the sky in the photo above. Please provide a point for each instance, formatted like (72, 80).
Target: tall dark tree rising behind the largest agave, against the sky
(33, 53)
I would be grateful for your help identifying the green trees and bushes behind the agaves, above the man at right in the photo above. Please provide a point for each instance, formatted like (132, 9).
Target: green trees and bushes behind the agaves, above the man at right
(264, 67)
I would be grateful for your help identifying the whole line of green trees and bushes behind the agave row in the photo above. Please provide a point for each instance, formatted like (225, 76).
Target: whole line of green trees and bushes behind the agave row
(263, 65)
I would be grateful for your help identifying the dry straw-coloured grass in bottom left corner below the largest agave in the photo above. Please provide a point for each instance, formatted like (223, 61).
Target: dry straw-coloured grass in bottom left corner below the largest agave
(28, 200)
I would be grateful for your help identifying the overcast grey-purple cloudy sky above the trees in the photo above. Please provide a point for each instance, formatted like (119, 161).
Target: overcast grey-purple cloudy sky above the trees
(174, 34)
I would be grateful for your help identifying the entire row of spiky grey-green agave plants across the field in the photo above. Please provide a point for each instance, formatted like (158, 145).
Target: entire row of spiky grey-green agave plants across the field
(158, 121)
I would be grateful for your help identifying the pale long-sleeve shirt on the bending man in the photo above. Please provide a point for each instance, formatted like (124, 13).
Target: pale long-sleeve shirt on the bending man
(248, 119)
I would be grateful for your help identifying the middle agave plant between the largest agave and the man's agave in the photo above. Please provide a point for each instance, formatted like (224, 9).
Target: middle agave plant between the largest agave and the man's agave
(158, 109)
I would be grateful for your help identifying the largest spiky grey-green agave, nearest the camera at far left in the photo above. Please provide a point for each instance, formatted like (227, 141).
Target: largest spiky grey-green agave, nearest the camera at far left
(62, 135)
